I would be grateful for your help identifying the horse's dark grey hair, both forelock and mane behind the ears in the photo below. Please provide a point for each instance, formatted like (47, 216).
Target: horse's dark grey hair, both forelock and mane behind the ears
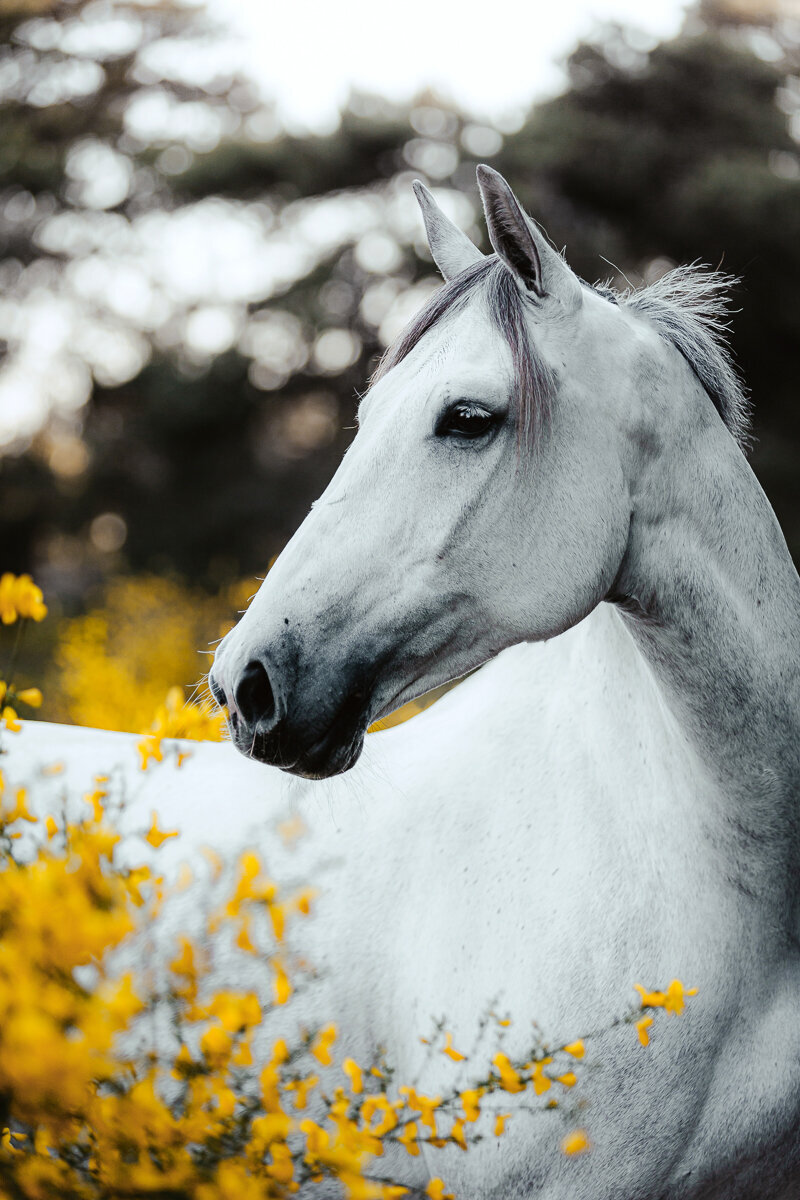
(689, 307)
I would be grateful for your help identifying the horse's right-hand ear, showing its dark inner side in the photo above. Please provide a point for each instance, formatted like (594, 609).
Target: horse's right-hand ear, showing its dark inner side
(521, 245)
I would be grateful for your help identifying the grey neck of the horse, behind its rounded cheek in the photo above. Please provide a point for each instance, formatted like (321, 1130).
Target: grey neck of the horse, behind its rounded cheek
(713, 603)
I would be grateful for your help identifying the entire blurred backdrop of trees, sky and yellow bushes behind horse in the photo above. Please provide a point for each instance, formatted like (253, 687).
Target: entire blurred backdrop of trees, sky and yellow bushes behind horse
(208, 238)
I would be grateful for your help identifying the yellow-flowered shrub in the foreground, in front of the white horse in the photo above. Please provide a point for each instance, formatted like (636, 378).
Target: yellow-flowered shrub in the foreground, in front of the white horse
(148, 1084)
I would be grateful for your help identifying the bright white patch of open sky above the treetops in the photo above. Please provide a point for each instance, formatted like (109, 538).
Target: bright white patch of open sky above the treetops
(310, 53)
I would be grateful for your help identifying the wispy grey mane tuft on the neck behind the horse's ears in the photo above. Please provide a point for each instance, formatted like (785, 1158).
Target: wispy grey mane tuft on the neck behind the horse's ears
(690, 307)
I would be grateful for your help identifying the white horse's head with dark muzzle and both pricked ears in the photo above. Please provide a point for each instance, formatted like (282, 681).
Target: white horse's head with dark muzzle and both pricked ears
(485, 501)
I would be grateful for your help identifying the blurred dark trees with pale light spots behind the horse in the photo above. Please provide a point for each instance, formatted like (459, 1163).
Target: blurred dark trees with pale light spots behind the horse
(218, 291)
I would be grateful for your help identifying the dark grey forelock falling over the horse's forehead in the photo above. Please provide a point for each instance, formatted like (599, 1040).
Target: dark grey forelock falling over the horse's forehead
(534, 381)
